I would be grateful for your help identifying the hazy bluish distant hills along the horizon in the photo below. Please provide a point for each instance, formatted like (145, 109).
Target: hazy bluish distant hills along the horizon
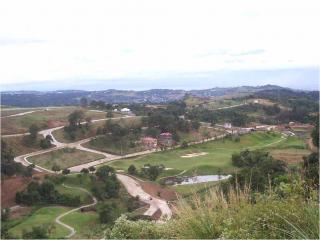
(72, 97)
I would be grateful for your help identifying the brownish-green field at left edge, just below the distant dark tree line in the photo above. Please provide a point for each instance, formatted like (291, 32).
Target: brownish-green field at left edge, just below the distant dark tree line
(44, 119)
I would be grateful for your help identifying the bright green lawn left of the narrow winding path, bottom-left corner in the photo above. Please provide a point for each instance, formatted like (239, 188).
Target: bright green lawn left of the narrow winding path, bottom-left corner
(43, 216)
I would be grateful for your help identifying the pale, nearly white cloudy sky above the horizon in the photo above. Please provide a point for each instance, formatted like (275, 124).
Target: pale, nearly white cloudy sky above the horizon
(75, 44)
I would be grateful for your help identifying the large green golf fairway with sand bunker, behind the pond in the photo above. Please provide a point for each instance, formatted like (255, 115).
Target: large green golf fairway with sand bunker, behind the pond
(217, 158)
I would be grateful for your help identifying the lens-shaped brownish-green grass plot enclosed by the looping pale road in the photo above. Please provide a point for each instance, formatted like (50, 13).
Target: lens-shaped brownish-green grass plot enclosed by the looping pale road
(64, 158)
